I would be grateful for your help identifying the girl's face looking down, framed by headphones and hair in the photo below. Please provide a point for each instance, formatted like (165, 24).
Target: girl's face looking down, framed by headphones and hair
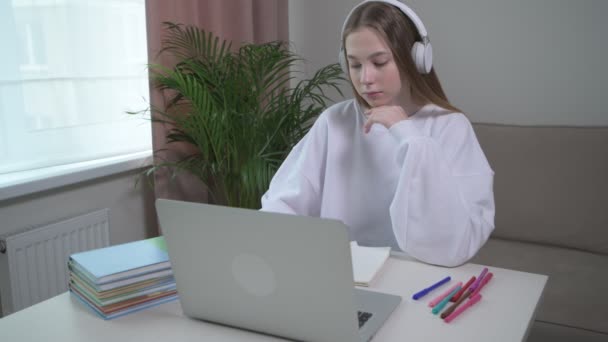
(373, 70)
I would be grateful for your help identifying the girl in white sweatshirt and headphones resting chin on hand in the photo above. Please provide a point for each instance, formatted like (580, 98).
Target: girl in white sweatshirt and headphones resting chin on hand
(398, 164)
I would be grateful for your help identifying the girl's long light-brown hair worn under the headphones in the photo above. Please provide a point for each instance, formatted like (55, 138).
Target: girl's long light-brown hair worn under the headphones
(400, 33)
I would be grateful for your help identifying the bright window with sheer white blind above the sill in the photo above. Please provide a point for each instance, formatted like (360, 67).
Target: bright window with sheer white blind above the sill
(69, 72)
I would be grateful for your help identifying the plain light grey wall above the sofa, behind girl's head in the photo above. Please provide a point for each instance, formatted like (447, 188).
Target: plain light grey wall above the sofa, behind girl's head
(523, 62)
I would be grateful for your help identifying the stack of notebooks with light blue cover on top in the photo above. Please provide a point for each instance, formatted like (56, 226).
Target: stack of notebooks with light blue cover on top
(117, 280)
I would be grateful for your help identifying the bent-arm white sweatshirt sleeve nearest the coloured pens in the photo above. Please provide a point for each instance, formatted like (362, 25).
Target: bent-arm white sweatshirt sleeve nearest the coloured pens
(443, 209)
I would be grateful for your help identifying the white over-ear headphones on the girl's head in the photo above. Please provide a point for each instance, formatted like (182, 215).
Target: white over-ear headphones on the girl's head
(422, 51)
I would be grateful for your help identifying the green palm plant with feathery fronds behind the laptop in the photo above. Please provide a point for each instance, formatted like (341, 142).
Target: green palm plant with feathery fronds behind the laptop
(240, 109)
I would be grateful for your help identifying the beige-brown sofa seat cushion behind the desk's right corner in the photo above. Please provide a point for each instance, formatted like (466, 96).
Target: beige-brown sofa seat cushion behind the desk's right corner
(575, 294)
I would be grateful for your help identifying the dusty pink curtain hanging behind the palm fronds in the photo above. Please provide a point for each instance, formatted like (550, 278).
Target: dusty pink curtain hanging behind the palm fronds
(236, 20)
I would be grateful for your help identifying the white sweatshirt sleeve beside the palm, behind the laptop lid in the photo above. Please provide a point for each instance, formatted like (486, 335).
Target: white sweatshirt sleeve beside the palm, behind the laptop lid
(297, 185)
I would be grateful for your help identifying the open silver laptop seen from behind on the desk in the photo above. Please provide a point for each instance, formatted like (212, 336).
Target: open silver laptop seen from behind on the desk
(278, 274)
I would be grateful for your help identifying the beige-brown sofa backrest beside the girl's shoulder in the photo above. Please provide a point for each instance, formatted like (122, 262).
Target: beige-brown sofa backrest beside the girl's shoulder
(551, 184)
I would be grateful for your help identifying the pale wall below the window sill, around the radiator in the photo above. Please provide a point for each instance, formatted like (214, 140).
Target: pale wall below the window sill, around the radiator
(131, 213)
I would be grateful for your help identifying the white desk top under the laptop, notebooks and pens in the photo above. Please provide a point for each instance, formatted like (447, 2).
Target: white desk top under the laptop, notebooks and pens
(505, 312)
